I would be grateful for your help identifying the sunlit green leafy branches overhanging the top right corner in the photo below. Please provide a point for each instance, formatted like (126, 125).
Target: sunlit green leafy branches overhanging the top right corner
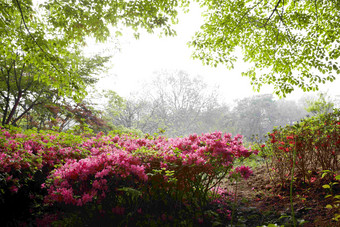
(292, 43)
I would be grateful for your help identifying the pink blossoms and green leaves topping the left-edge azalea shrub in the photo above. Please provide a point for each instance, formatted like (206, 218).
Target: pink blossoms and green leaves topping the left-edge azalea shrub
(23, 154)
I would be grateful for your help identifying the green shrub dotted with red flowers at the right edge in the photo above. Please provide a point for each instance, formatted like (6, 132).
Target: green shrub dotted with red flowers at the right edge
(316, 142)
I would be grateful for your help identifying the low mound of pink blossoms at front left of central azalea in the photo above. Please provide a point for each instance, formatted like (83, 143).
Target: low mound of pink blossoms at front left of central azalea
(78, 182)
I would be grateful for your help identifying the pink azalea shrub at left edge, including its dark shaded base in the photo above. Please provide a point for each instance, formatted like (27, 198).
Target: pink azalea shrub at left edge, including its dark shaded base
(26, 158)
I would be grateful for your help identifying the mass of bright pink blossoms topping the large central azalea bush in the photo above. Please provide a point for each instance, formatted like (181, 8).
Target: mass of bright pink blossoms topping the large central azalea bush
(122, 156)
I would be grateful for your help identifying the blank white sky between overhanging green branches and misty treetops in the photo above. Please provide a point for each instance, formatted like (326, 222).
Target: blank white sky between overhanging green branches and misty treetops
(138, 59)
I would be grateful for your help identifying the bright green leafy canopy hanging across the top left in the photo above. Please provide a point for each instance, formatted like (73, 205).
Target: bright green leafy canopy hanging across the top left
(48, 35)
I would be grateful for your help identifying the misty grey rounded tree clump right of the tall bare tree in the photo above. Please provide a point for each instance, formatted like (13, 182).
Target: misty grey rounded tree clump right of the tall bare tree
(255, 116)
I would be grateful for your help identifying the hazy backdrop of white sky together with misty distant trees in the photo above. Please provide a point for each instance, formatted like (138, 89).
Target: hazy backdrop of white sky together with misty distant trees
(156, 87)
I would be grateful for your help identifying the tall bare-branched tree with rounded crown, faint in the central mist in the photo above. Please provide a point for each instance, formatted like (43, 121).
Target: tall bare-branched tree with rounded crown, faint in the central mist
(184, 99)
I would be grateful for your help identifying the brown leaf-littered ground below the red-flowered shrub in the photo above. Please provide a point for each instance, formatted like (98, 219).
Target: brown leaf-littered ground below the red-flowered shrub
(261, 202)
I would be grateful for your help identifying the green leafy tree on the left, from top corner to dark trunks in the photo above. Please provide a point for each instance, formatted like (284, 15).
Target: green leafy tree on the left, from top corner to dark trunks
(38, 67)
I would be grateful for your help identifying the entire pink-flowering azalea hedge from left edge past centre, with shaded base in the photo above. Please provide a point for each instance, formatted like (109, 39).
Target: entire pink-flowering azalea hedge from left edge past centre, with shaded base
(118, 176)
